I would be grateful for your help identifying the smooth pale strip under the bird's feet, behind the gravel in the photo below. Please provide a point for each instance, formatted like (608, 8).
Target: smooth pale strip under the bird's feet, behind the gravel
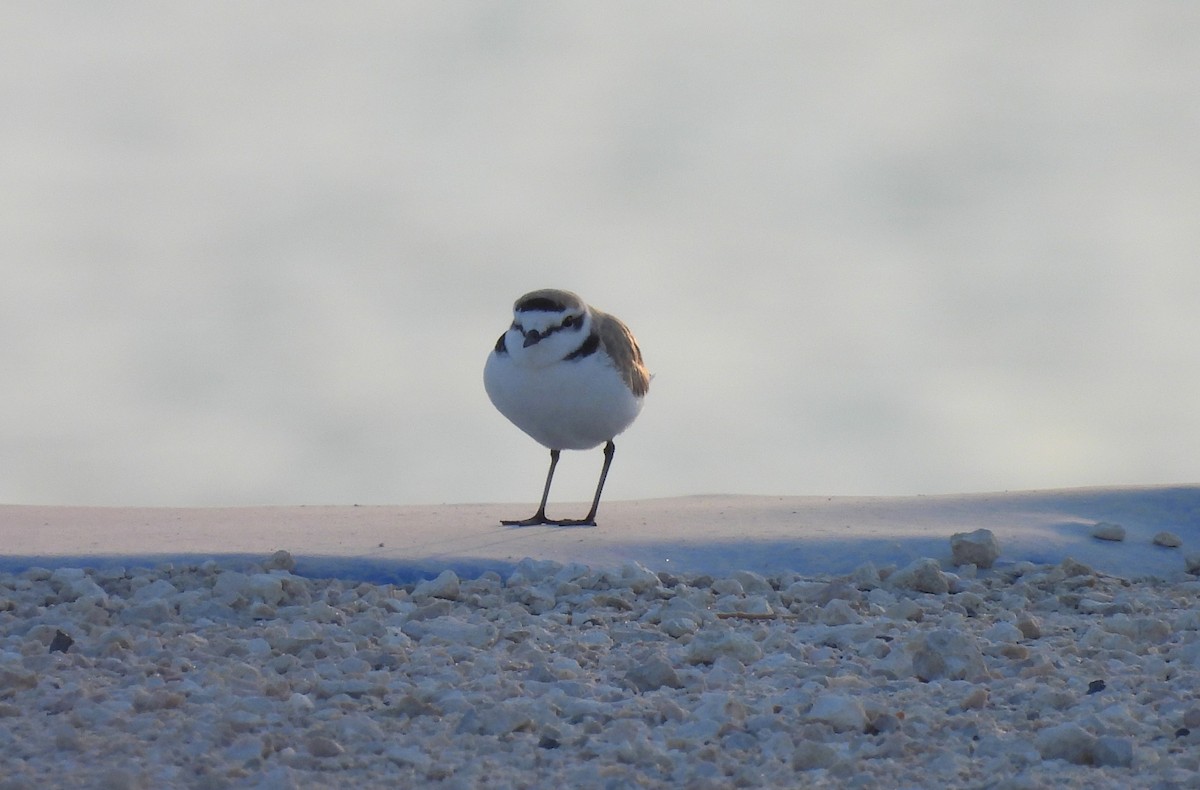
(689, 535)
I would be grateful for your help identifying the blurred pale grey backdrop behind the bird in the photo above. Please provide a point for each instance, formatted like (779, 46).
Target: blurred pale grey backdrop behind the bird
(257, 254)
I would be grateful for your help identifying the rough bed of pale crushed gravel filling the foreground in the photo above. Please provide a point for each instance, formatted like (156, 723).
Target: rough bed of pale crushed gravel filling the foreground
(1025, 677)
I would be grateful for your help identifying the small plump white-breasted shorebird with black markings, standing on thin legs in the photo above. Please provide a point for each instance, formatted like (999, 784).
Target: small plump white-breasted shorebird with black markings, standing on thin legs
(572, 378)
